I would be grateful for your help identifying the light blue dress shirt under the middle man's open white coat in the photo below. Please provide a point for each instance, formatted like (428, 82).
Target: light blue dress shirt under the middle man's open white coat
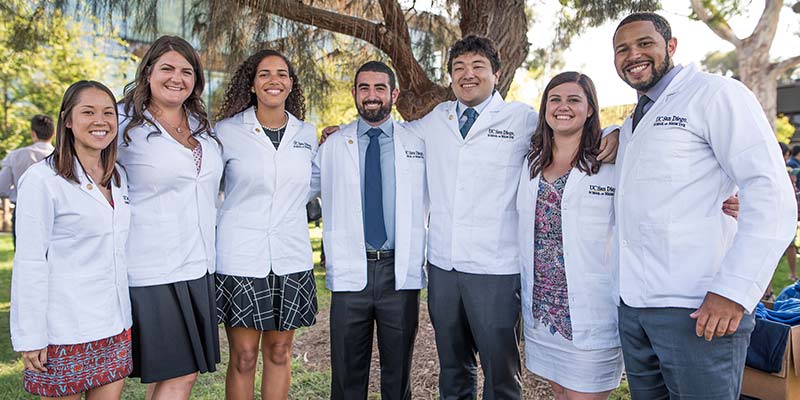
(386, 139)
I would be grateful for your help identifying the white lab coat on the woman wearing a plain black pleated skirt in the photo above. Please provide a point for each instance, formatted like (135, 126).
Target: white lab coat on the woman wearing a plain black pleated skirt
(173, 209)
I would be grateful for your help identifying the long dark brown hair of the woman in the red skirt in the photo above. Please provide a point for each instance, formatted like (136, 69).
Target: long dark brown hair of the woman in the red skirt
(63, 157)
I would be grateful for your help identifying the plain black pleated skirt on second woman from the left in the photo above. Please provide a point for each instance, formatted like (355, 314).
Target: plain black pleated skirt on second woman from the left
(174, 329)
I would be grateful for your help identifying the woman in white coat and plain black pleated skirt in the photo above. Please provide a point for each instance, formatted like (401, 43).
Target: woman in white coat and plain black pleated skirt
(174, 169)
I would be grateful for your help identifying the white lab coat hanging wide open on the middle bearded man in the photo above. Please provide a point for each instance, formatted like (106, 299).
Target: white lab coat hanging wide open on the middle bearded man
(343, 227)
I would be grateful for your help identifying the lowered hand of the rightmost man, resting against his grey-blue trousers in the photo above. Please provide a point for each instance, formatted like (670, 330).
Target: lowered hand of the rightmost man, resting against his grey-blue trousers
(717, 316)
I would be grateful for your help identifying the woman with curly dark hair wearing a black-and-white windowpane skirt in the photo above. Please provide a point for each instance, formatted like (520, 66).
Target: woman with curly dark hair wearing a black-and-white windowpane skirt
(265, 279)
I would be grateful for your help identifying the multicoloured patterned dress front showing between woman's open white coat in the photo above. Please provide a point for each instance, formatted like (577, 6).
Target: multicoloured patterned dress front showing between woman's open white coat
(550, 300)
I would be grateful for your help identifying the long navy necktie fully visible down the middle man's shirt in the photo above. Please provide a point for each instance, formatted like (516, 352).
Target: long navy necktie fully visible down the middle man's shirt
(375, 228)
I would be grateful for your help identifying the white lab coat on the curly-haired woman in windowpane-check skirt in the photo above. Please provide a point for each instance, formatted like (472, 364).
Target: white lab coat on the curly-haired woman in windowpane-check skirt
(262, 224)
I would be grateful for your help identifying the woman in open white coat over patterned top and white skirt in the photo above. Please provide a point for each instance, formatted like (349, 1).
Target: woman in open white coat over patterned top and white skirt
(565, 203)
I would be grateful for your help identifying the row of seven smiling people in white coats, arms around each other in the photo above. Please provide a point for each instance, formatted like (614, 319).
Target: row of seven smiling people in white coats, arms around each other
(125, 264)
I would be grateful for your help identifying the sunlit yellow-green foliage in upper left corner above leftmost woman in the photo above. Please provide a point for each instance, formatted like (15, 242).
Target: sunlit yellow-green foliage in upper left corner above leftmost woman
(41, 54)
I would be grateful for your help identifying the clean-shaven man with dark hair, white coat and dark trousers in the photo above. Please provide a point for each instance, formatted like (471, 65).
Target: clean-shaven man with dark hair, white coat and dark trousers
(474, 151)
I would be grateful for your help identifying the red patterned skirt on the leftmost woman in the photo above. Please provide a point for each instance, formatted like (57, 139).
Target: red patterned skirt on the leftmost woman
(77, 368)
